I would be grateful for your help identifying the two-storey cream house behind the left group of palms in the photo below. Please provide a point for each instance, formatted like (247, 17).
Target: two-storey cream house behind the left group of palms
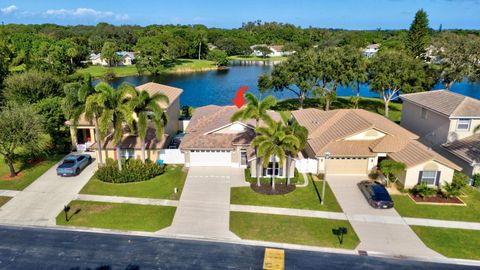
(83, 134)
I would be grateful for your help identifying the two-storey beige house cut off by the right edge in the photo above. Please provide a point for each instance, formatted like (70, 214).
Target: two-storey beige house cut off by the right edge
(446, 121)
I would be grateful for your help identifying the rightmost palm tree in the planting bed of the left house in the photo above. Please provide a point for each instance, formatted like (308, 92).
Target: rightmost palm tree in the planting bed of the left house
(143, 105)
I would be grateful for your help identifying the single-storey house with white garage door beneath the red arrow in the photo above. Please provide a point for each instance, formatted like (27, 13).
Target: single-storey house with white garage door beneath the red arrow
(212, 140)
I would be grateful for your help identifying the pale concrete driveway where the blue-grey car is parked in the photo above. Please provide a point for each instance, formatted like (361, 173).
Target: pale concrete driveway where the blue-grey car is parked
(41, 201)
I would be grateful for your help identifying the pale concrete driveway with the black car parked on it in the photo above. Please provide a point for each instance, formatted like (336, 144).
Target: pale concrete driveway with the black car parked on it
(381, 230)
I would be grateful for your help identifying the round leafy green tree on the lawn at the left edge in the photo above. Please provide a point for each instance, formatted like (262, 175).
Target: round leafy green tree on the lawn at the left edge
(20, 127)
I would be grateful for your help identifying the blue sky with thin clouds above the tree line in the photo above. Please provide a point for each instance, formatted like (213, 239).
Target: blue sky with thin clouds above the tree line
(348, 14)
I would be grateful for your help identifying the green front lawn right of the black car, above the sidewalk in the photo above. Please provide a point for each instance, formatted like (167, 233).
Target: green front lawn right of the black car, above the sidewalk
(407, 208)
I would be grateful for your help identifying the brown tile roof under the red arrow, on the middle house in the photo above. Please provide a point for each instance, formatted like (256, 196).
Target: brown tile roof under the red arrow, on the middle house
(209, 118)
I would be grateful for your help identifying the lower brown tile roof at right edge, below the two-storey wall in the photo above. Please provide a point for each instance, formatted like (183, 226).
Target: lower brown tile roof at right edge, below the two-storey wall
(468, 148)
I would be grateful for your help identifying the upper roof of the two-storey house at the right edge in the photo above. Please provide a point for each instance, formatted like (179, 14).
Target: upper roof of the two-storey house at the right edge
(446, 102)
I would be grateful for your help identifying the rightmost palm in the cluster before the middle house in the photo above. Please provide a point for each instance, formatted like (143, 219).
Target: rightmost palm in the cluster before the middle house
(301, 133)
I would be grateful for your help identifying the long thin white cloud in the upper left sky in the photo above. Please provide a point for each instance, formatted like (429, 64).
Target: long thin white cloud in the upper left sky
(84, 13)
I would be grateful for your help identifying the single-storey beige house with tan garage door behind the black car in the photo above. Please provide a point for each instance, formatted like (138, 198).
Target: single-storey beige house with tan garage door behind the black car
(358, 140)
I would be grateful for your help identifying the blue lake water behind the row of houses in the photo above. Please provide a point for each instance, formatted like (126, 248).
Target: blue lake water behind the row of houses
(219, 86)
